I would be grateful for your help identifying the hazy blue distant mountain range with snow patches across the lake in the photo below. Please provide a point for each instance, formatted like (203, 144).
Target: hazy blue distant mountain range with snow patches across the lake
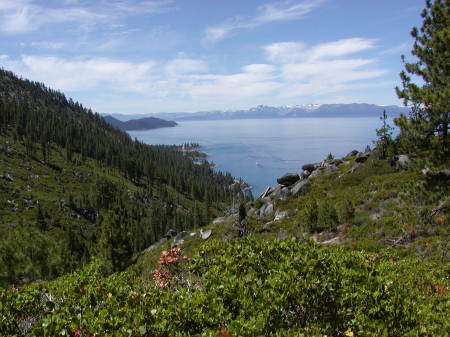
(295, 111)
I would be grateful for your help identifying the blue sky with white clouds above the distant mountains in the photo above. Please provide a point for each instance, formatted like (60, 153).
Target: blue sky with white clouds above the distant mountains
(128, 57)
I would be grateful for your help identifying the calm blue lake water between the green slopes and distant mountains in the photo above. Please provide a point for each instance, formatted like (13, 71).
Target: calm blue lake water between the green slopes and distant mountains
(261, 150)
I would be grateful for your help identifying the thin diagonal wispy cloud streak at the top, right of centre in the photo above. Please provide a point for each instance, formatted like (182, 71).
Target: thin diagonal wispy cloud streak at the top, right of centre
(279, 11)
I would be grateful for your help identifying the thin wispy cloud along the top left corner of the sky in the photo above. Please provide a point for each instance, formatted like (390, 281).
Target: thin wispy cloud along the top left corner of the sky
(22, 16)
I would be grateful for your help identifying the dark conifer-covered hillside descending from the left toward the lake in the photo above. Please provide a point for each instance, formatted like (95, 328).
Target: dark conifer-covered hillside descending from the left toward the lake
(73, 187)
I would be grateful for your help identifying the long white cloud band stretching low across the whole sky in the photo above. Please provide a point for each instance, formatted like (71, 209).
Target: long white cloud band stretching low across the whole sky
(293, 71)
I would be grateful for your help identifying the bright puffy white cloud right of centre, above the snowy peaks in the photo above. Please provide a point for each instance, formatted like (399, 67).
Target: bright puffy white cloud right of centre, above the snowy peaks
(323, 68)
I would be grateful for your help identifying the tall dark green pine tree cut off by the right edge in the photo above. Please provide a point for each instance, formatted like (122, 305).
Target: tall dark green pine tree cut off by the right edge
(431, 101)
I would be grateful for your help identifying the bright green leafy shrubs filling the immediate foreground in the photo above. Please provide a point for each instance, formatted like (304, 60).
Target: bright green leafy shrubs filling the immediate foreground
(241, 288)
